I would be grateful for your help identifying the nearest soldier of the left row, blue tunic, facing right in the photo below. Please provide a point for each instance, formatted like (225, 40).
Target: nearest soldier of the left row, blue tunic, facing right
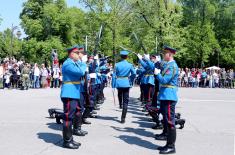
(70, 95)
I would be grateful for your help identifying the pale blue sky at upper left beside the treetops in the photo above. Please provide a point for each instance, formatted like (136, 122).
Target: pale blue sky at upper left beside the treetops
(11, 9)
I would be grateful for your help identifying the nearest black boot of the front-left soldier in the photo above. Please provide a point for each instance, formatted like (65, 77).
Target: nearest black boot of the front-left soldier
(68, 139)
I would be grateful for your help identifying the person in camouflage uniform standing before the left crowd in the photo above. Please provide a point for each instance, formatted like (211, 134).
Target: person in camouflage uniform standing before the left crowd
(25, 76)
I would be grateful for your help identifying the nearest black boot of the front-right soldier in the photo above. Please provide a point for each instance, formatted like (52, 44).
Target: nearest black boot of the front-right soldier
(170, 145)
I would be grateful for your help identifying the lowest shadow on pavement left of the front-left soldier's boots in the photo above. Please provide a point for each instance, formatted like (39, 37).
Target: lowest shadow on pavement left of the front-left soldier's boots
(52, 138)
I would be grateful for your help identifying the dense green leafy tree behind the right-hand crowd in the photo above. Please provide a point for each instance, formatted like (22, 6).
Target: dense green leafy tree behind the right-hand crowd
(200, 40)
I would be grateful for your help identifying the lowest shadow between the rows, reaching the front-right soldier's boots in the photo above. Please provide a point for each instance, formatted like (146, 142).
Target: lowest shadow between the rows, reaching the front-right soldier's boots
(133, 140)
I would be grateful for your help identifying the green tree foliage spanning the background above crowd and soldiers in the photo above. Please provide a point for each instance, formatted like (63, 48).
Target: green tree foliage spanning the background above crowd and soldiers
(203, 31)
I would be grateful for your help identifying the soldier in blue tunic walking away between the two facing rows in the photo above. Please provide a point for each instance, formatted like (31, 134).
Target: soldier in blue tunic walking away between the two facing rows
(122, 78)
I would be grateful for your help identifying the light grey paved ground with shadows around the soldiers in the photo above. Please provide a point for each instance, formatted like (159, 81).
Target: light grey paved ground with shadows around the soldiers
(25, 128)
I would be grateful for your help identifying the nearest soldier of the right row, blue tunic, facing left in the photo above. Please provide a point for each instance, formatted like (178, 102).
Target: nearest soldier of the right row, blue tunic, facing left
(168, 78)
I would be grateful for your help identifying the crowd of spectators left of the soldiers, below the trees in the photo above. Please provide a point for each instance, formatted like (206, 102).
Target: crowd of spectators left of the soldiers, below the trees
(16, 74)
